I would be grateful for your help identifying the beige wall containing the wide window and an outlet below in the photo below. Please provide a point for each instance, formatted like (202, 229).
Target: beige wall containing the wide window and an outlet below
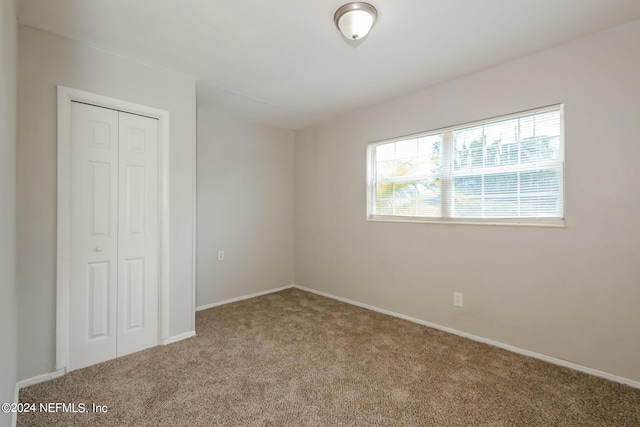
(569, 293)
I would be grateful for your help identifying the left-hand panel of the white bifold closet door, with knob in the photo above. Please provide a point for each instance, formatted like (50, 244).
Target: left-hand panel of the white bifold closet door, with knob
(94, 235)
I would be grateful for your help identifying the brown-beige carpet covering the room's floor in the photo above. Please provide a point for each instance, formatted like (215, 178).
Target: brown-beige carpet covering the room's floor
(297, 359)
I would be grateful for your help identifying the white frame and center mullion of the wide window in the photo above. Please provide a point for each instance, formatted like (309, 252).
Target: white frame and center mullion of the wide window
(448, 173)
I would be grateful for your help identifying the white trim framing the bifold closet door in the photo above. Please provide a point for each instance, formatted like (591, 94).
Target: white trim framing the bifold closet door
(65, 97)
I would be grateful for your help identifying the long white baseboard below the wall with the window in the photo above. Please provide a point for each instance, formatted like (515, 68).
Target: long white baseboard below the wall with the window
(513, 349)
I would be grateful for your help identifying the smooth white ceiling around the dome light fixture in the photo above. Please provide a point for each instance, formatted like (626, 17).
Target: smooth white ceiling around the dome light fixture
(283, 62)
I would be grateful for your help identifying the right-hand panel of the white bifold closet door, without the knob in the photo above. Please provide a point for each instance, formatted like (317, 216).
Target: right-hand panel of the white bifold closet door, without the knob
(138, 236)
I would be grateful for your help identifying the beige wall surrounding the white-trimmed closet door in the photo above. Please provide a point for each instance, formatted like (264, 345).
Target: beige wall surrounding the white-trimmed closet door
(46, 60)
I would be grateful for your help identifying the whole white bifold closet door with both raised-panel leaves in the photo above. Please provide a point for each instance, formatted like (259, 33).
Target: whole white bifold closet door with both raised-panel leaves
(114, 234)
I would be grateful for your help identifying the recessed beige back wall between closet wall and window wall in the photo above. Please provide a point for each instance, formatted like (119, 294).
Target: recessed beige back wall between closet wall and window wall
(245, 207)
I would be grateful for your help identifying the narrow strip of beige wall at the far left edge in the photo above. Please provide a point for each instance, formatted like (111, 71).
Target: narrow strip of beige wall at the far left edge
(8, 314)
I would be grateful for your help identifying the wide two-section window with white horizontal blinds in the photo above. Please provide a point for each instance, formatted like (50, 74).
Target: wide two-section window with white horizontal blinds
(506, 170)
